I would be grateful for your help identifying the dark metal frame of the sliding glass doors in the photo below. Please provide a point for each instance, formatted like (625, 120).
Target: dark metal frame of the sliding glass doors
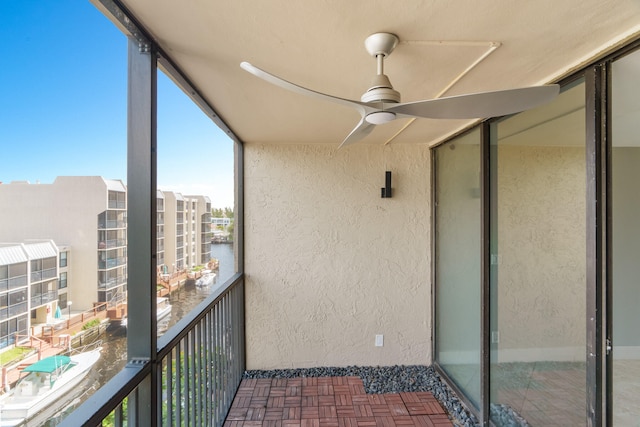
(599, 290)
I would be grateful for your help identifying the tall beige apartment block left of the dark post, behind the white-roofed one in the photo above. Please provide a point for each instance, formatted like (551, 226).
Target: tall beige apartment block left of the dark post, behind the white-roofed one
(88, 214)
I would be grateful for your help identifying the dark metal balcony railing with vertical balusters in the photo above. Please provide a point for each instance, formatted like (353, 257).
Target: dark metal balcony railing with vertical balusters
(199, 365)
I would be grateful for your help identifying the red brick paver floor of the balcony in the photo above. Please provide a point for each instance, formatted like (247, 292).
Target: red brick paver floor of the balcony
(329, 402)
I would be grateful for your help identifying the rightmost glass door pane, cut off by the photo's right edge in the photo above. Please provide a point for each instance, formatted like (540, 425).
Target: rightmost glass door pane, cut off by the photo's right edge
(625, 181)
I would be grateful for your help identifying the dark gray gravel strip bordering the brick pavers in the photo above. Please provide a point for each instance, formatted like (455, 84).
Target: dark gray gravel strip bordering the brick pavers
(387, 379)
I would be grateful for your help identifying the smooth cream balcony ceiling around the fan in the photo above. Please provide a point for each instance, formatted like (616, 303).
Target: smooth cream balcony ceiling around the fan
(319, 44)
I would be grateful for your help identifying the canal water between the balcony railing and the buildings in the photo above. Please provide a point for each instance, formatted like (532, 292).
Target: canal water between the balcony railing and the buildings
(114, 346)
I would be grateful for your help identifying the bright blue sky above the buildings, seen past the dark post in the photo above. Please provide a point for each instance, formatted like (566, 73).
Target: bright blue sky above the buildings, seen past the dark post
(63, 94)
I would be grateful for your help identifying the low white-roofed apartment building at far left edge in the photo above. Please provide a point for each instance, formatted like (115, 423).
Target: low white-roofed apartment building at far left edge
(29, 286)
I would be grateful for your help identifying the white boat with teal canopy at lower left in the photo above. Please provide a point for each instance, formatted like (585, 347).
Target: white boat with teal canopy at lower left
(45, 382)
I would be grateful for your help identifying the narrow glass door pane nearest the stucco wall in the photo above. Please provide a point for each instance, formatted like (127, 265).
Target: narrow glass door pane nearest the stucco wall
(458, 263)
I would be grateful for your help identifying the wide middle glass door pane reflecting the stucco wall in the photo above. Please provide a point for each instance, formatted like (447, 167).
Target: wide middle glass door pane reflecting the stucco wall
(538, 265)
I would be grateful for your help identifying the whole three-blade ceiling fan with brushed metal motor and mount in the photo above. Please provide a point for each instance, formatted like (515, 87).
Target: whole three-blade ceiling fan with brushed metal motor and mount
(381, 103)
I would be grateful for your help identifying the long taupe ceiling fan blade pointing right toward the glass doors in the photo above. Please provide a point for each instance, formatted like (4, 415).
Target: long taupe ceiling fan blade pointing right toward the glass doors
(479, 105)
